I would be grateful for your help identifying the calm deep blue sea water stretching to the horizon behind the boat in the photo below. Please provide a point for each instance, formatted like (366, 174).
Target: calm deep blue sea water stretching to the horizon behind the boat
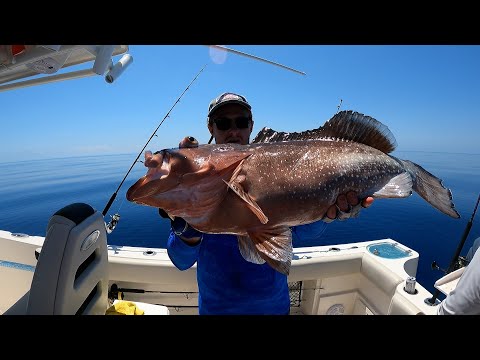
(31, 191)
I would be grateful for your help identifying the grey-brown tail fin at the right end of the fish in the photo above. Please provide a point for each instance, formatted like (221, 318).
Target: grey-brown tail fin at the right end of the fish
(430, 188)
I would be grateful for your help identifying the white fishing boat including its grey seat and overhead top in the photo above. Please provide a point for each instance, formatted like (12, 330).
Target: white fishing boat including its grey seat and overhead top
(73, 269)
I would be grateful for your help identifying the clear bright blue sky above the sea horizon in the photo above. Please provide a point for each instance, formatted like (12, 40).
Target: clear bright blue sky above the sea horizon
(428, 96)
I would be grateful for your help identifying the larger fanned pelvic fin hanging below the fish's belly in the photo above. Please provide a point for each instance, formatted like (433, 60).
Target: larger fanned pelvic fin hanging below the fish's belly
(275, 247)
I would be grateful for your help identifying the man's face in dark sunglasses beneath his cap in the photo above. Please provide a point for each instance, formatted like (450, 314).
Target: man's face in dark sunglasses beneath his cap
(230, 116)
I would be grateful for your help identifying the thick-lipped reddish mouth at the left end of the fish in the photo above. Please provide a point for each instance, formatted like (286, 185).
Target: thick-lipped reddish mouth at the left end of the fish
(153, 182)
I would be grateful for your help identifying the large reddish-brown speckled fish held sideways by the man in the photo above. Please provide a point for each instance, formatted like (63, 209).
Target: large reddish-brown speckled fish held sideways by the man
(258, 191)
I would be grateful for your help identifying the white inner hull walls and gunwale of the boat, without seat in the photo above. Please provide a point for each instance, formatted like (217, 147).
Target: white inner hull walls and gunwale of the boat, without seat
(337, 279)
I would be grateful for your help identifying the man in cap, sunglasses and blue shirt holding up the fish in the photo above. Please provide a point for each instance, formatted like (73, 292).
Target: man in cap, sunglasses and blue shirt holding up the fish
(229, 284)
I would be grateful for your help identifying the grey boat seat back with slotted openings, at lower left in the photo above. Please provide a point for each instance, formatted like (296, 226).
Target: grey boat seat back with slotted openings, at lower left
(71, 275)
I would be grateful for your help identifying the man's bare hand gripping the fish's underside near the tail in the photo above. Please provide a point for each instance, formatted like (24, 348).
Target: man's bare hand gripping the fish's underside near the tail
(347, 206)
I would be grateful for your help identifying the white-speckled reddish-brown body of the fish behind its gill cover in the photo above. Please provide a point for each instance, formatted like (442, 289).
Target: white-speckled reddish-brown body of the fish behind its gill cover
(296, 182)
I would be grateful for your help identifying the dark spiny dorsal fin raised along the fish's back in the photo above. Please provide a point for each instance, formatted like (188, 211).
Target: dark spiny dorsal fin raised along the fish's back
(346, 125)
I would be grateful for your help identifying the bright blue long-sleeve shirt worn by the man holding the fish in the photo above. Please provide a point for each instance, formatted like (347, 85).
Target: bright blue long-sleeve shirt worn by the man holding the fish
(227, 283)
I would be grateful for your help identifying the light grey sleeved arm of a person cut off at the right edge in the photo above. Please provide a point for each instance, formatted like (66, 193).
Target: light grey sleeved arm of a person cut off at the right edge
(465, 298)
